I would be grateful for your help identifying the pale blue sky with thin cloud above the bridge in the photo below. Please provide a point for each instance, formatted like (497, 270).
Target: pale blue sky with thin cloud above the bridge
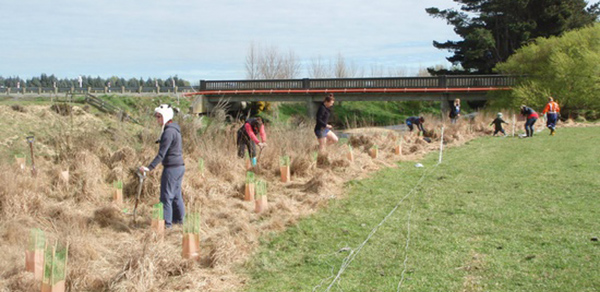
(210, 40)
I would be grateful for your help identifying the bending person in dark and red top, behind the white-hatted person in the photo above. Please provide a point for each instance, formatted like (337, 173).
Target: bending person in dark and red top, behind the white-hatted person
(247, 138)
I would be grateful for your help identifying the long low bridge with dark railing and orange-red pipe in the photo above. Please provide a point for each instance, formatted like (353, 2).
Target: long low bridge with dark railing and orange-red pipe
(312, 91)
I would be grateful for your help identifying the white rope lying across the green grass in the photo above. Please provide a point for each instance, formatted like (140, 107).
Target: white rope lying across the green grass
(353, 253)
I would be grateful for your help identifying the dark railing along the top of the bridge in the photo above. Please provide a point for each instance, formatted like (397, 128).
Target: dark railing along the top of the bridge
(450, 81)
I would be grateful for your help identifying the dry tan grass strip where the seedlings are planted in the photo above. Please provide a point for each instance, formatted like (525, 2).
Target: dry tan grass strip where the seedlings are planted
(108, 253)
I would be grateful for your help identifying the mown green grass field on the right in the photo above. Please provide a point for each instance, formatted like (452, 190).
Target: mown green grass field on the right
(499, 214)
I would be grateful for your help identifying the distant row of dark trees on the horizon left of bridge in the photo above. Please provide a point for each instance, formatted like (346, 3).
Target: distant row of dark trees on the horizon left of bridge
(45, 80)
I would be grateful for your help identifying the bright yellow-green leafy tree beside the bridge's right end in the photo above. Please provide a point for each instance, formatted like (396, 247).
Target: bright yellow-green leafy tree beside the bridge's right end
(564, 67)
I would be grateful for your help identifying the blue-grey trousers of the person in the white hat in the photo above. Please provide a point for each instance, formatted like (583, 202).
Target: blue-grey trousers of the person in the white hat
(170, 195)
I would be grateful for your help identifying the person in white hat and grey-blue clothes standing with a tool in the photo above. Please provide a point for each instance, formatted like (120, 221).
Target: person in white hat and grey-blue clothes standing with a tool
(170, 154)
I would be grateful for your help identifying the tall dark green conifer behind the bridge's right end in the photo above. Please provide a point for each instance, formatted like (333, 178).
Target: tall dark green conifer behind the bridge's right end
(491, 30)
